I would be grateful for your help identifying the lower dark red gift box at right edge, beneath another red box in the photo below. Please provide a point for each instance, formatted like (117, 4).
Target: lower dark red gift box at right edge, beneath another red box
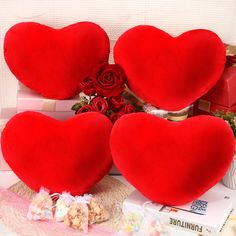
(206, 107)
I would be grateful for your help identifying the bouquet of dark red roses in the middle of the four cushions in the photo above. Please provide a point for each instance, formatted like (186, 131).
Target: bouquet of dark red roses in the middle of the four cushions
(104, 92)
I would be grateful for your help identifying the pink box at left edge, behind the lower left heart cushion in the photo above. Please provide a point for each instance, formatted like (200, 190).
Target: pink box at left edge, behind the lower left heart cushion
(5, 115)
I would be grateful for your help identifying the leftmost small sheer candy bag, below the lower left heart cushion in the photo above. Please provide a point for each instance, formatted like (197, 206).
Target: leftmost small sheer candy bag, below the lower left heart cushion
(41, 206)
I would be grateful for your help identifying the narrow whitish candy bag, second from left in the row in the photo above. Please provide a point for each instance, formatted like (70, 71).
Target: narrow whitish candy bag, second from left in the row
(62, 206)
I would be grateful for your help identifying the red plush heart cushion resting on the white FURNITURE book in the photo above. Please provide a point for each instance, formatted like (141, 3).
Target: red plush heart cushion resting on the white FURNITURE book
(172, 163)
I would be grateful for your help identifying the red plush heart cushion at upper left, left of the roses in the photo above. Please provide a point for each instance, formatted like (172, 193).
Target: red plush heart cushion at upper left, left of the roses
(53, 61)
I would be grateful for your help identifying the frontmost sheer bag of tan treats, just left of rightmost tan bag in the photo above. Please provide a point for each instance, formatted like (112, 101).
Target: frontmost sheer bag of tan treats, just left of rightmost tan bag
(77, 215)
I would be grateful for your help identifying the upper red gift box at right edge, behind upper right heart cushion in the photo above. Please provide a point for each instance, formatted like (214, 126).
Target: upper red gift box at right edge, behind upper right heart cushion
(224, 92)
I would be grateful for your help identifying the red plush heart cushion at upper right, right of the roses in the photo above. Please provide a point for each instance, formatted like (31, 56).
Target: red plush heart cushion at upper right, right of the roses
(170, 73)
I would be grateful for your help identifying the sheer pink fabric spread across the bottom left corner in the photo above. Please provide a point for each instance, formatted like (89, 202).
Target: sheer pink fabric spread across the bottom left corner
(13, 211)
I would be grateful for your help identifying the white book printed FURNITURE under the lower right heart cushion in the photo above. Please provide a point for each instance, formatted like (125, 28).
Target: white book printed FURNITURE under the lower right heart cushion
(204, 216)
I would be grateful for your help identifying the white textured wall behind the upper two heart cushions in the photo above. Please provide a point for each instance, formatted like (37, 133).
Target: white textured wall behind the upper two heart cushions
(115, 16)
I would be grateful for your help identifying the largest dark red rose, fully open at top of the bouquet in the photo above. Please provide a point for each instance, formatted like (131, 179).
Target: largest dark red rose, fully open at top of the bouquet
(108, 80)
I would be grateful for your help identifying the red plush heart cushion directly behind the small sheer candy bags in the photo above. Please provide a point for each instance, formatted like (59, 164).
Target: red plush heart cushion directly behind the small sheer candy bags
(69, 155)
